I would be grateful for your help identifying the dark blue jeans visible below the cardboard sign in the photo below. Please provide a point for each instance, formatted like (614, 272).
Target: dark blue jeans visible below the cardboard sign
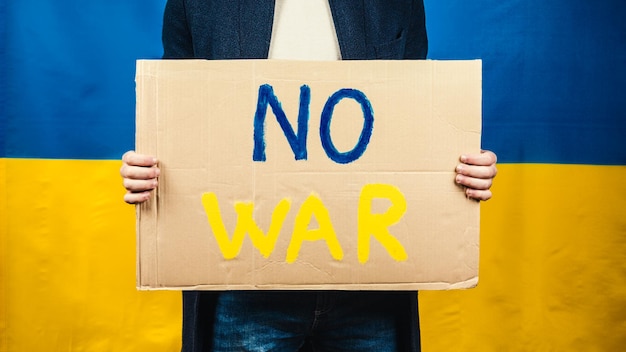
(329, 321)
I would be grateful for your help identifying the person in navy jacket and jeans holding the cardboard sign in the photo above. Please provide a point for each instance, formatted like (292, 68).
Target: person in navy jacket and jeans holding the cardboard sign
(316, 30)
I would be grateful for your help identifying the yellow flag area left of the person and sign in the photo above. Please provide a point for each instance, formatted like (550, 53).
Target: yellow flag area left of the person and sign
(68, 263)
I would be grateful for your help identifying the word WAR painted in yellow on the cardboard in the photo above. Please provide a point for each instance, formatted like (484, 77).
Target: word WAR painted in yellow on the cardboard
(368, 224)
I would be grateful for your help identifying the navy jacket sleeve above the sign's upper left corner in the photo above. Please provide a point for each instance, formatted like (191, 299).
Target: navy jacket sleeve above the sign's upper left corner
(176, 36)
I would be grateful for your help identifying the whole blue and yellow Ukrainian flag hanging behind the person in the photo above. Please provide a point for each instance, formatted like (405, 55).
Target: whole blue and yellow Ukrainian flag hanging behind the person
(553, 239)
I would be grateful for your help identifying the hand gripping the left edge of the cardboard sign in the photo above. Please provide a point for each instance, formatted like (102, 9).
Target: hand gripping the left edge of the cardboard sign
(140, 176)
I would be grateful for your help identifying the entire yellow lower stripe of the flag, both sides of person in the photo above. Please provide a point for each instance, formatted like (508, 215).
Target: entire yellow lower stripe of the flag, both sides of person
(552, 268)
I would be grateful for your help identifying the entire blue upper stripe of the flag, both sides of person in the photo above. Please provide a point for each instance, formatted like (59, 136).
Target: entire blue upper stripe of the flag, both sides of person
(553, 85)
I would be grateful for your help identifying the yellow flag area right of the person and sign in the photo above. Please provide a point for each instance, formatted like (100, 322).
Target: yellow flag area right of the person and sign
(552, 266)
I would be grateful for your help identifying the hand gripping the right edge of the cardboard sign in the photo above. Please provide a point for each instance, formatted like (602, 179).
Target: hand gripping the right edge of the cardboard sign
(476, 173)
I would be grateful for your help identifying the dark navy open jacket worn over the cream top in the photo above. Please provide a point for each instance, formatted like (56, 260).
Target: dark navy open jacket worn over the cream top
(242, 29)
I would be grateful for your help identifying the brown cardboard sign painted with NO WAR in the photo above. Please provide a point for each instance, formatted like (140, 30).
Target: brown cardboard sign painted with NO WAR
(308, 175)
